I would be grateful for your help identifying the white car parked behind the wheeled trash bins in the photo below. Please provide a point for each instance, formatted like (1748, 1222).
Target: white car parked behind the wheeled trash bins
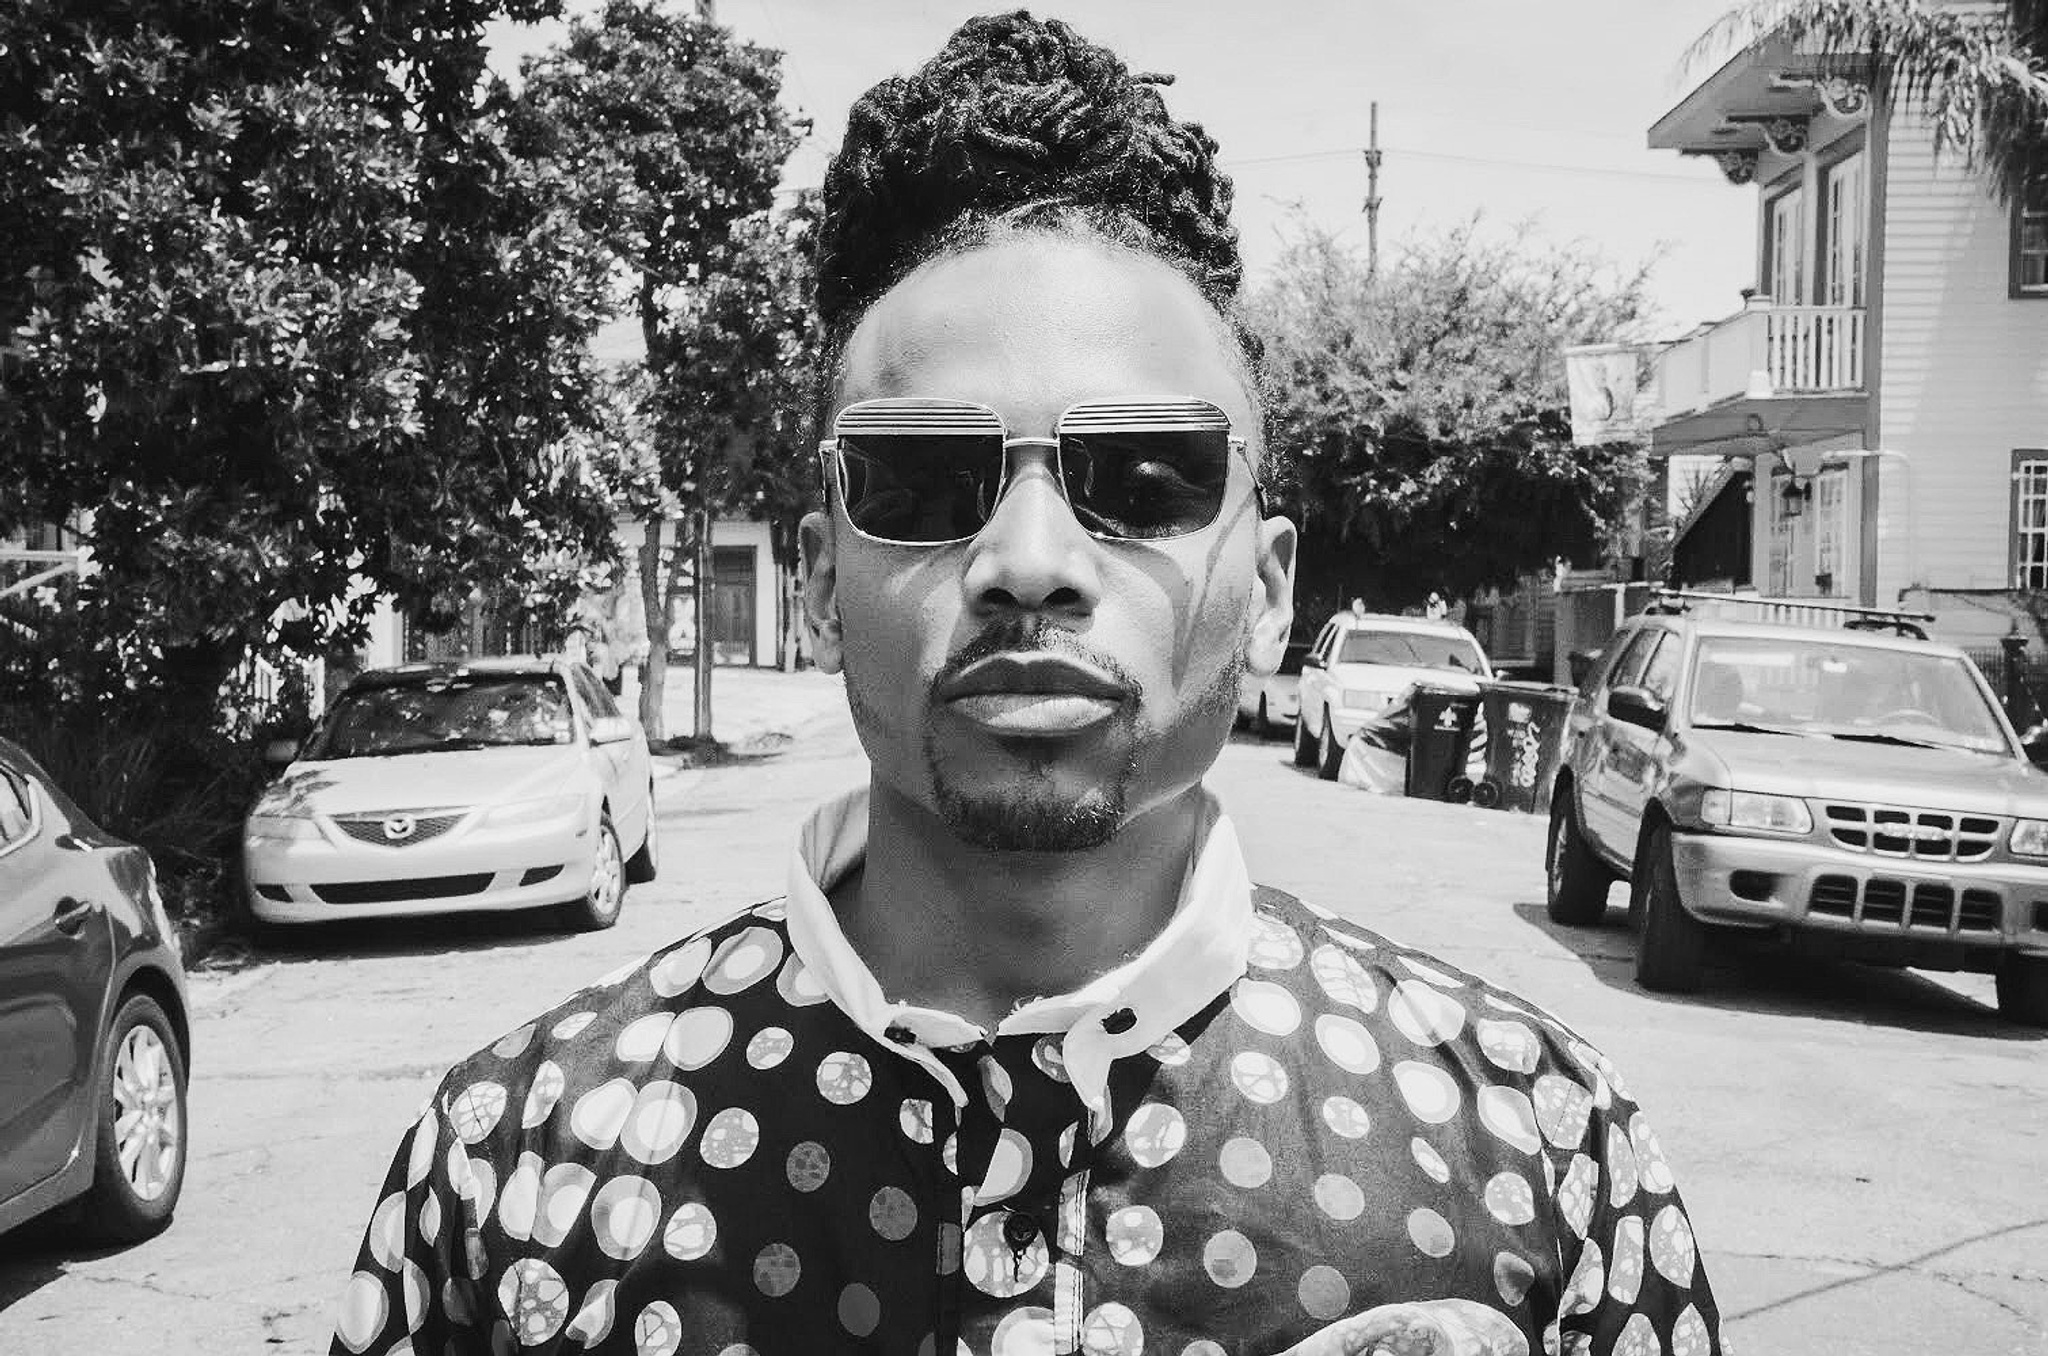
(1361, 665)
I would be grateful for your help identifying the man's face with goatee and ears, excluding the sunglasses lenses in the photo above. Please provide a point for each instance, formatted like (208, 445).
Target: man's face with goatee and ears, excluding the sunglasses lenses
(1037, 687)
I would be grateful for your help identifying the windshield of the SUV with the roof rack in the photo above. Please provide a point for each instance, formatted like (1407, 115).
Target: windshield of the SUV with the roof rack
(1844, 691)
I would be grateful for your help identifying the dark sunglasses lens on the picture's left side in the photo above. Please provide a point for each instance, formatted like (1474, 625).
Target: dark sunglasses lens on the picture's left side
(921, 489)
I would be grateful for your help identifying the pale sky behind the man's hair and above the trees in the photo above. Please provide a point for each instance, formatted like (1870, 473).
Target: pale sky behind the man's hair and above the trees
(1527, 116)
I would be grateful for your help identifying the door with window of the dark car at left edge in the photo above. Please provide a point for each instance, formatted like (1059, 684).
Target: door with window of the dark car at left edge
(56, 958)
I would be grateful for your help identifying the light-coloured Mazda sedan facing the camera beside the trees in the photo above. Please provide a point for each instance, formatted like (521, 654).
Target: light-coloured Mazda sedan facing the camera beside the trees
(458, 788)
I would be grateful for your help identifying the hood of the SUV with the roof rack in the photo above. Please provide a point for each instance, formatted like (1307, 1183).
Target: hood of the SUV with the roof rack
(1875, 773)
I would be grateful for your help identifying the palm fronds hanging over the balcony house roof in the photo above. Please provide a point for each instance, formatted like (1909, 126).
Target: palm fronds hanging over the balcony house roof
(1983, 75)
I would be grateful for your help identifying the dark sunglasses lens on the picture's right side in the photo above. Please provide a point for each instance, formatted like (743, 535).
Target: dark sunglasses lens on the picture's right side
(1148, 482)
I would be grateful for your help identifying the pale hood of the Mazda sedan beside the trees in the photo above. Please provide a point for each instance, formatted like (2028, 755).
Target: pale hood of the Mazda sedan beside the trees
(425, 781)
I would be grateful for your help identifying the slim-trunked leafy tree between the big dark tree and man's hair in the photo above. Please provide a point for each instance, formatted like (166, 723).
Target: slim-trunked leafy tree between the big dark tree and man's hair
(677, 136)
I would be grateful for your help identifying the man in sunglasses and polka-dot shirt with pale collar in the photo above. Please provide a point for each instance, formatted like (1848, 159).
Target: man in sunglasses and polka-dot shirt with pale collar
(1025, 1062)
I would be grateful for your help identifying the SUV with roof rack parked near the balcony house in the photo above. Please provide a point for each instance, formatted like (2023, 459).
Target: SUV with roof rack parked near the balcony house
(1850, 792)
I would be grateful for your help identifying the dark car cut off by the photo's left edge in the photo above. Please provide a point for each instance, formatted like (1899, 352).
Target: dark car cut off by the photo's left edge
(93, 1025)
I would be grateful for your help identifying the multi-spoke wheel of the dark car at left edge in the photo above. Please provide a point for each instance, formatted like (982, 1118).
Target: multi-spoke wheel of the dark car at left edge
(138, 1156)
